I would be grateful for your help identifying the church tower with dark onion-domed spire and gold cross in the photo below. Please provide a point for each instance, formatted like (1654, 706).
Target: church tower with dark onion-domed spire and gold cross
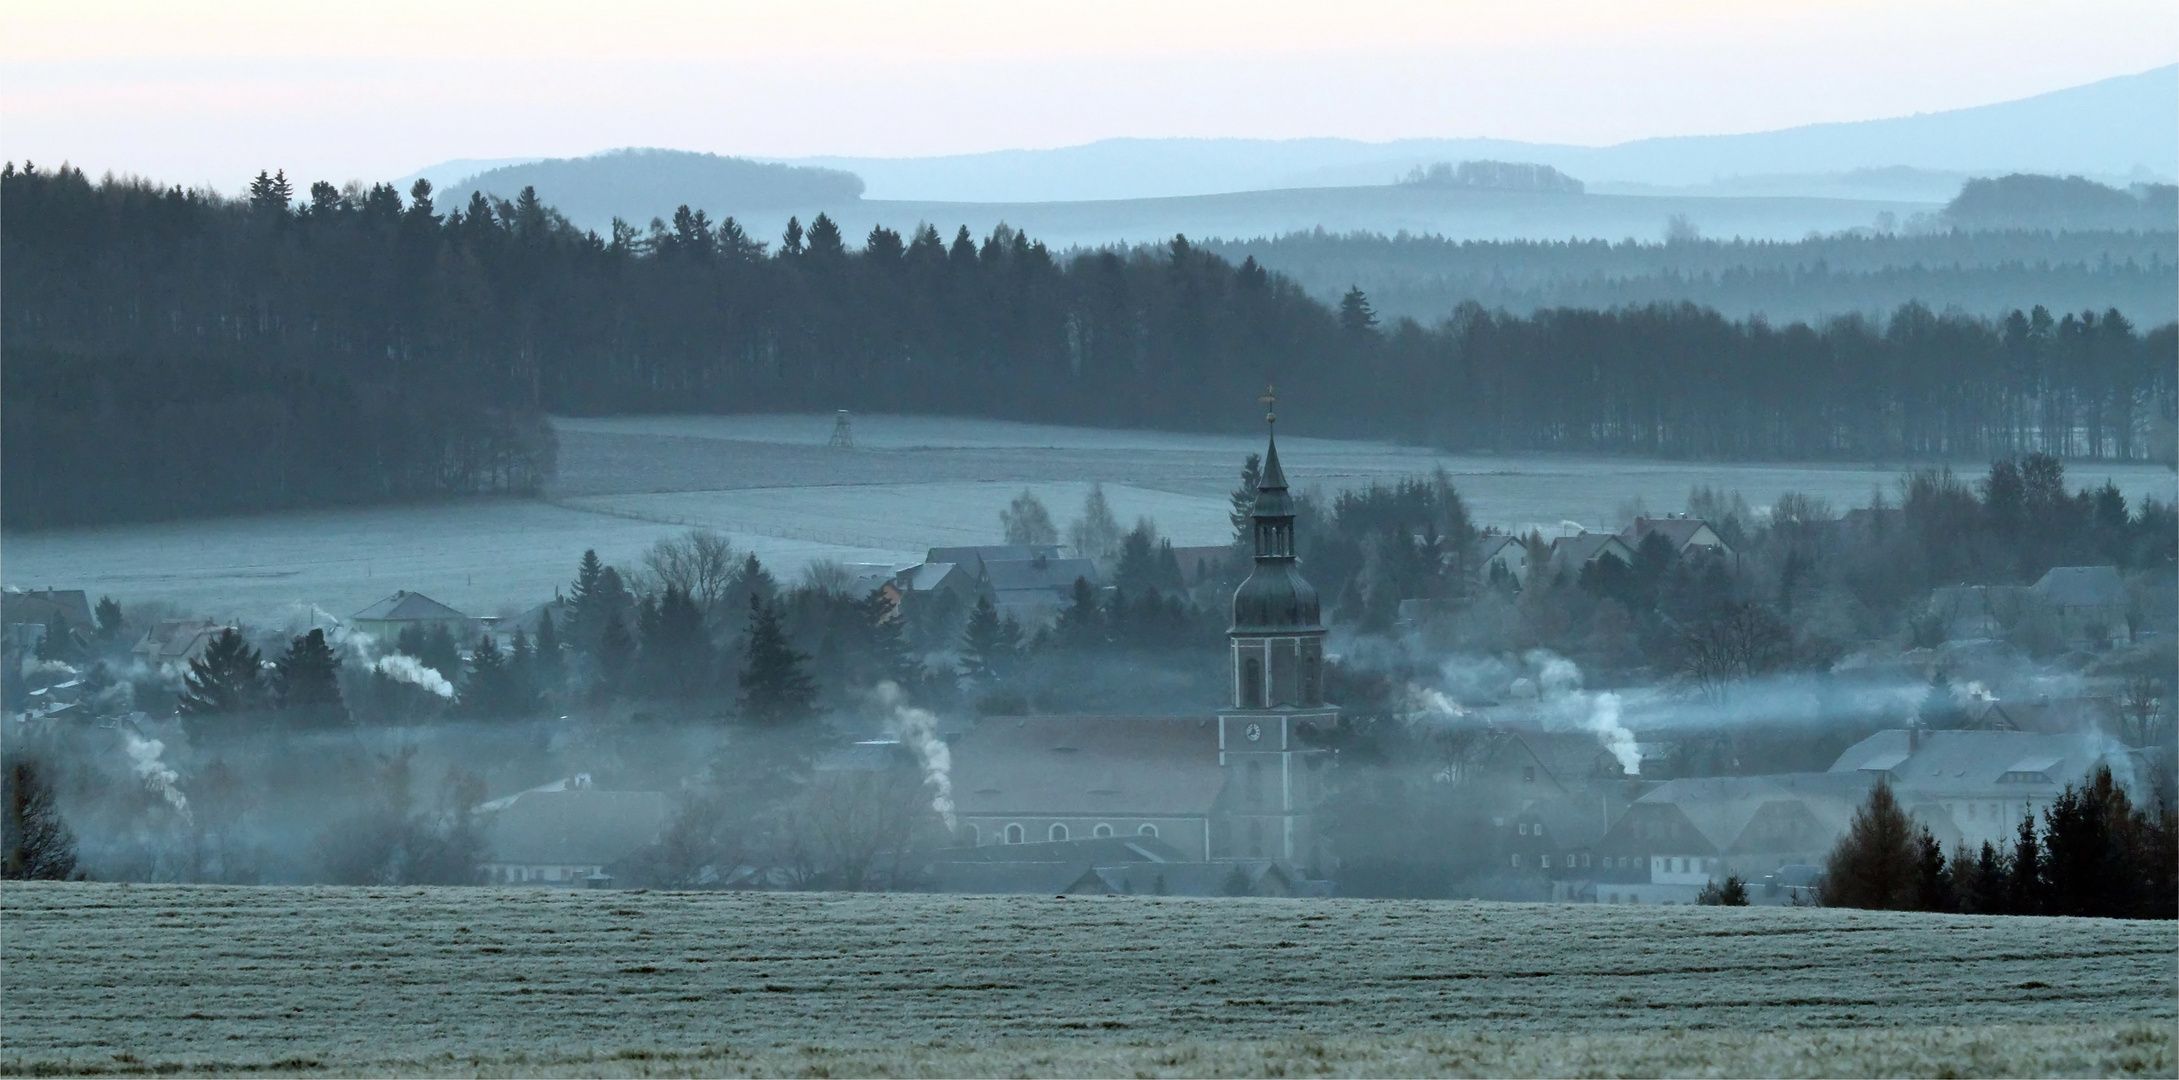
(1278, 643)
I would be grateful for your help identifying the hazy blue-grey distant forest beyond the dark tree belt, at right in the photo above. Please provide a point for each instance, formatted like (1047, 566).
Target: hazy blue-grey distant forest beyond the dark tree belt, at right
(1984, 273)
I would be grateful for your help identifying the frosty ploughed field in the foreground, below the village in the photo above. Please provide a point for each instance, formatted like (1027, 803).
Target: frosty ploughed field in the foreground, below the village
(537, 983)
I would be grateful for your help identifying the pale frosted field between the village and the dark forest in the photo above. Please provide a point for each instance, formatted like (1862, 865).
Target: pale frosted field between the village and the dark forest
(768, 482)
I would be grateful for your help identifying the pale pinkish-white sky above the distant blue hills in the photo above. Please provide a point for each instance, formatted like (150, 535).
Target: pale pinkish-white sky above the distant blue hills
(215, 90)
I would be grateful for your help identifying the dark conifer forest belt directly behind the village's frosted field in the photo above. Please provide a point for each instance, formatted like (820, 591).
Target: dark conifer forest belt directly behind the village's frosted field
(182, 354)
